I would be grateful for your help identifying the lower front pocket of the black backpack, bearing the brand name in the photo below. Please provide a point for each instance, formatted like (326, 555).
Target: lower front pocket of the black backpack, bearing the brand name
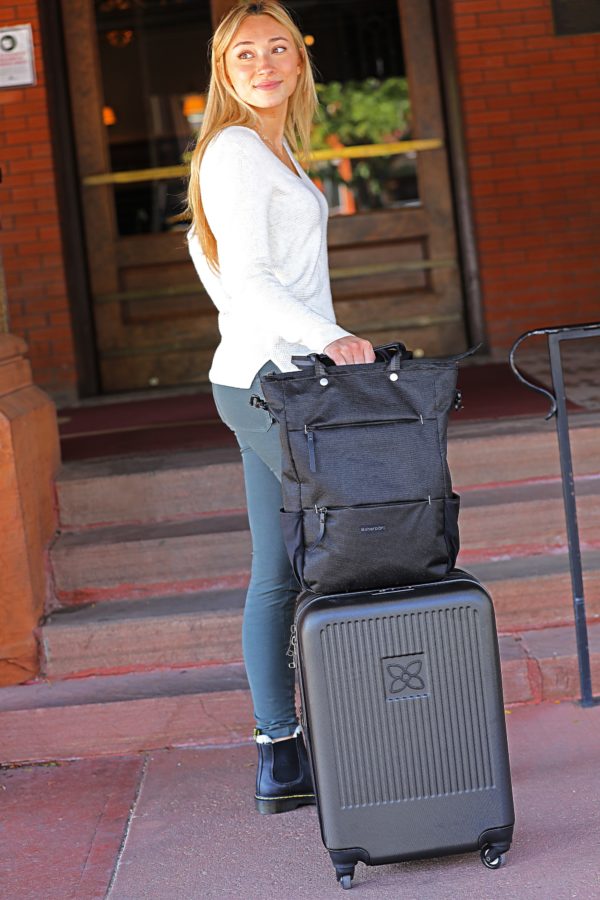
(379, 545)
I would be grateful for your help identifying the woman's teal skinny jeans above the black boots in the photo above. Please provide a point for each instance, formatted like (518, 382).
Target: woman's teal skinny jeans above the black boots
(273, 588)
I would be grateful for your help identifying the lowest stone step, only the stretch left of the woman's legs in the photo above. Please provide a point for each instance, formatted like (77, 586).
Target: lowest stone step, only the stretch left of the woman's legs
(124, 713)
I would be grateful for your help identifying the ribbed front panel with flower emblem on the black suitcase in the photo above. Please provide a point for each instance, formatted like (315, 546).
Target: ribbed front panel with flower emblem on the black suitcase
(408, 707)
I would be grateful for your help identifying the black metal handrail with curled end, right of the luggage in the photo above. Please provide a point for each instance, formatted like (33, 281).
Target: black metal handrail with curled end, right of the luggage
(558, 408)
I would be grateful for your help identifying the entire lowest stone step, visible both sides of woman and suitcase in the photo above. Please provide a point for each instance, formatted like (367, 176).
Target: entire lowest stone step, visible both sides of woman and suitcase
(211, 705)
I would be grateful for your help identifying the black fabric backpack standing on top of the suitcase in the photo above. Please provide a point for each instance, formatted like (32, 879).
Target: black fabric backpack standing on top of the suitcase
(367, 495)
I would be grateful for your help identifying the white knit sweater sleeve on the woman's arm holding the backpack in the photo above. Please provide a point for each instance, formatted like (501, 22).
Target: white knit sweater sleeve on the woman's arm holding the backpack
(235, 196)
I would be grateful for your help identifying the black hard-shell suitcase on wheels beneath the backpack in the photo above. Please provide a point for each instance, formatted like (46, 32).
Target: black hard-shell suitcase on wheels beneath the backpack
(404, 718)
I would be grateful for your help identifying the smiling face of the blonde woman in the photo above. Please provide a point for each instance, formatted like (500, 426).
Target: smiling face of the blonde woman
(263, 63)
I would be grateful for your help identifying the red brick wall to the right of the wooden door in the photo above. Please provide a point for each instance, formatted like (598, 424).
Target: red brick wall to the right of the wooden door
(531, 104)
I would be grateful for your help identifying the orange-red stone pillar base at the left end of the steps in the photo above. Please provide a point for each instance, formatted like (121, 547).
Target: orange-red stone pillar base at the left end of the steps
(29, 459)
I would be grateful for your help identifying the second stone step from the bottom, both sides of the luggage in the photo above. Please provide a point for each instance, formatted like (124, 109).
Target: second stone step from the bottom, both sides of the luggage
(205, 627)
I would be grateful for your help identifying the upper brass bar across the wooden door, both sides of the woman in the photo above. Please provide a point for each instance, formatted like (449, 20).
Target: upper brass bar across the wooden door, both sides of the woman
(363, 151)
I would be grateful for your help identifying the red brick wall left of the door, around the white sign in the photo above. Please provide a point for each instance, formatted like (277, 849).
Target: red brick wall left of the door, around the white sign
(30, 237)
